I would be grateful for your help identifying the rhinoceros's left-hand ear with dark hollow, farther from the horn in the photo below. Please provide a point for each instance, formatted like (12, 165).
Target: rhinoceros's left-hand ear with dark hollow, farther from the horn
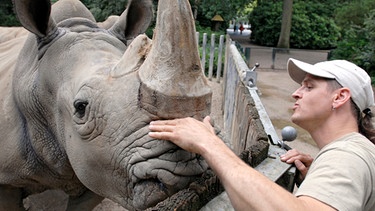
(34, 15)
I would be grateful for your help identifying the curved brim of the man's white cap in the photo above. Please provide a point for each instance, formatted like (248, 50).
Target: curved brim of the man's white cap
(297, 70)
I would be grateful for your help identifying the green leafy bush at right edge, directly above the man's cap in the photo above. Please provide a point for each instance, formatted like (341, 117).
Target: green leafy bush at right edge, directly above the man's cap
(357, 22)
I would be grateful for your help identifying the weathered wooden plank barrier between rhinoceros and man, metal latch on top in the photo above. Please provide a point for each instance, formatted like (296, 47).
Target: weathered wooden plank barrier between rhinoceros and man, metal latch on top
(248, 127)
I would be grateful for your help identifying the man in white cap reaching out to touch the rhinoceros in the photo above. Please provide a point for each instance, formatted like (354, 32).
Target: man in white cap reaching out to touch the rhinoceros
(329, 106)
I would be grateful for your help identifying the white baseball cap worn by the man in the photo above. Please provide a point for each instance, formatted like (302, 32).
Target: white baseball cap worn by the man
(345, 73)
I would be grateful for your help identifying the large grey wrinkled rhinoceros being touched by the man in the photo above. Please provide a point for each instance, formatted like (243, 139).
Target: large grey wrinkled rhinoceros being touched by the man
(76, 105)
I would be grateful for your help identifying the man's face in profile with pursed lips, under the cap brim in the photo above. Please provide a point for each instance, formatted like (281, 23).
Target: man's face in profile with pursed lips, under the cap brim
(313, 103)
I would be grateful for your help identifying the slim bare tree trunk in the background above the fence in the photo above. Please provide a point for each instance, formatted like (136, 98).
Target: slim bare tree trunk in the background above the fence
(286, 24)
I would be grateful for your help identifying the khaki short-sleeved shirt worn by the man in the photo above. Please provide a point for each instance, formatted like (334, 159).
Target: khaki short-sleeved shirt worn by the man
(342, 175)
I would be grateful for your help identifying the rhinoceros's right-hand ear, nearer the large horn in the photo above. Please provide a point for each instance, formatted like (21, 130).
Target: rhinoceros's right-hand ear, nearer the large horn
(134, 20)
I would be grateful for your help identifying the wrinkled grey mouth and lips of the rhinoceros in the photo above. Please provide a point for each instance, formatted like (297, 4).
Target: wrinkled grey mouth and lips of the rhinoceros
(159, 179)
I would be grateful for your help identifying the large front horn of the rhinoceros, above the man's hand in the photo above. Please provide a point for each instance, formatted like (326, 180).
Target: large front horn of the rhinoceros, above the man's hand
(173, 83)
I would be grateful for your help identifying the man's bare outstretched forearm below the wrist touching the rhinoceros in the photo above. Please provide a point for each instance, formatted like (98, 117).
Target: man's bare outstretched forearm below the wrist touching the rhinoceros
(246, 188)
